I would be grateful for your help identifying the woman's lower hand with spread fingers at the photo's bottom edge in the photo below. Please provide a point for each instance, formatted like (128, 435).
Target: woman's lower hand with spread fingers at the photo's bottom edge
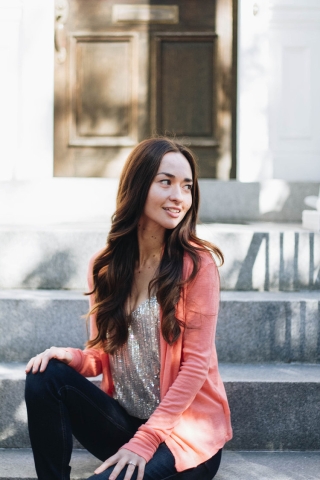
(122, 458)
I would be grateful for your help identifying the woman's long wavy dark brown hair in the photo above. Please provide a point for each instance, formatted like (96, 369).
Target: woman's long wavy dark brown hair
(113, 269)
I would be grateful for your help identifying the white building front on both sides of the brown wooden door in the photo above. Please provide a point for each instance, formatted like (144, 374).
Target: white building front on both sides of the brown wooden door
(278, 99)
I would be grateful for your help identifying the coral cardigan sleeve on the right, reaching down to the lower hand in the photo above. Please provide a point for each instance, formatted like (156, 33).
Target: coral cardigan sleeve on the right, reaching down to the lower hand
(201, 307)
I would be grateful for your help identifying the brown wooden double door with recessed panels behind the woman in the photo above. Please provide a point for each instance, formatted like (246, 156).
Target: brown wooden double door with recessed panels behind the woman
(126, 70)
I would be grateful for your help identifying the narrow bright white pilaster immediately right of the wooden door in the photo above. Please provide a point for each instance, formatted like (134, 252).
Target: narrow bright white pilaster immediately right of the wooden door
(253, 155)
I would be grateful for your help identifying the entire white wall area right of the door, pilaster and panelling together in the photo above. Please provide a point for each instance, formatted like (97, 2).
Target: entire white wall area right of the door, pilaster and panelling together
(278, 90)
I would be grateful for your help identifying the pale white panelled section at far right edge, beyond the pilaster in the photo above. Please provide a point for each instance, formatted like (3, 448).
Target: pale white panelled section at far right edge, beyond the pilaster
(294, 89)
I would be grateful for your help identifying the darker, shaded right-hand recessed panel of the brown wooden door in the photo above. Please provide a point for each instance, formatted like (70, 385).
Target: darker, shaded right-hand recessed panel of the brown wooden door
(185, 87)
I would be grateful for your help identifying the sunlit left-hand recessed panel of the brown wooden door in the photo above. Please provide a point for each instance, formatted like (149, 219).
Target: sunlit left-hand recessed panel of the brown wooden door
(103, 91)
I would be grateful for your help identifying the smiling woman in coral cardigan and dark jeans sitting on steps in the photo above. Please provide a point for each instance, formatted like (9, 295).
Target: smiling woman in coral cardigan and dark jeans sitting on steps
(162, 410)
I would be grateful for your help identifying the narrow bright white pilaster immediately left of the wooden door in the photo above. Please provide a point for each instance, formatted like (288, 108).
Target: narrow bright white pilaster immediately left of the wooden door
(35, 159)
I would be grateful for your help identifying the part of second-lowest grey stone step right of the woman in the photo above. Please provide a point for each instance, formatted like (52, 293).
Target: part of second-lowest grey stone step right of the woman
(273, 406)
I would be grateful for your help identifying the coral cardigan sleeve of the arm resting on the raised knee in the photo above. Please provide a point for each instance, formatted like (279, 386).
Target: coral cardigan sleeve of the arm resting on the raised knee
(88, 362)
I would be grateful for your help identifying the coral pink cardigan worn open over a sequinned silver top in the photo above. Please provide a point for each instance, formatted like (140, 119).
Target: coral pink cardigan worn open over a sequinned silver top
(193, 417)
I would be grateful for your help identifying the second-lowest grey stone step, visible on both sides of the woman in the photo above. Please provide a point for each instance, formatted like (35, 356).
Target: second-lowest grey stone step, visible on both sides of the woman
(273, 406)
